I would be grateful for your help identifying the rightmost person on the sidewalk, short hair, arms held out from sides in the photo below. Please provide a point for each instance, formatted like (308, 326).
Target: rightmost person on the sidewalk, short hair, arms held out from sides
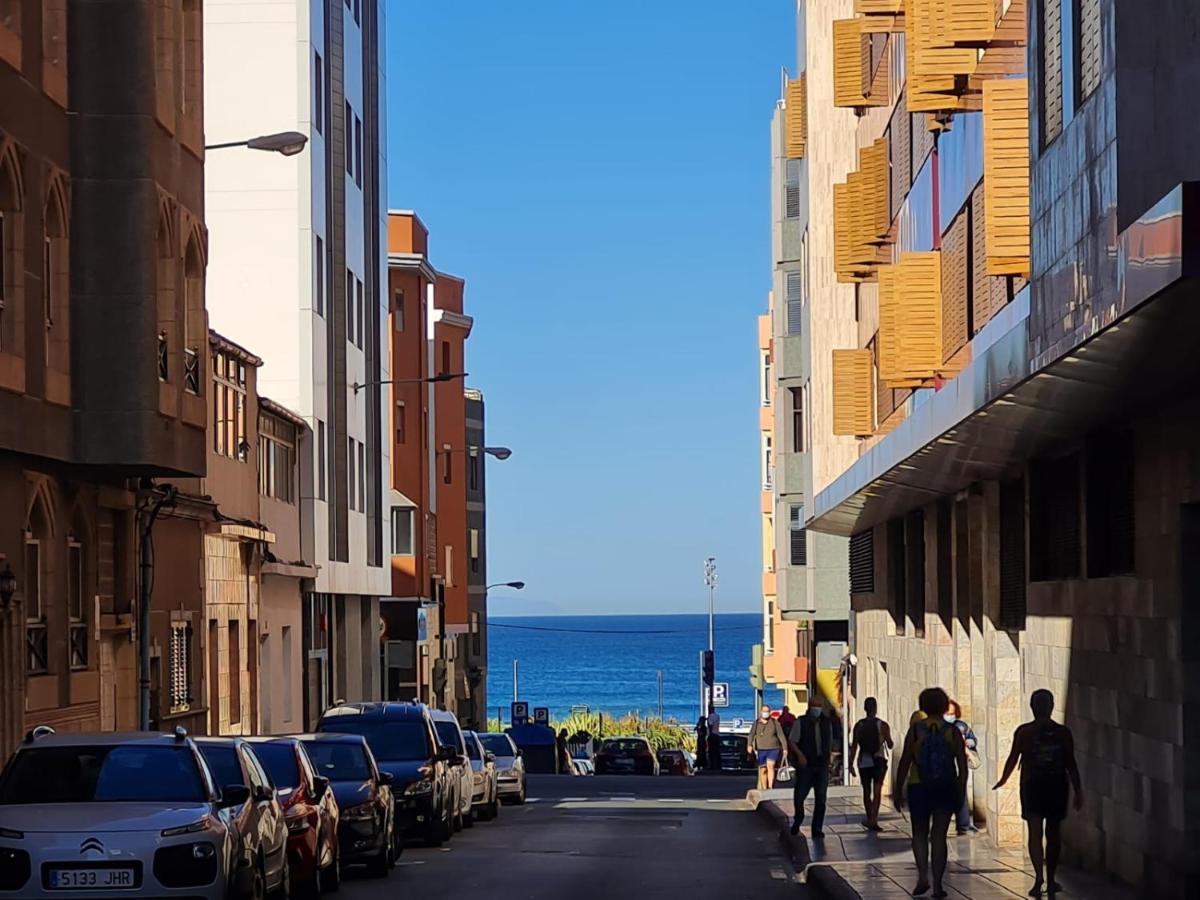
(1047, 753)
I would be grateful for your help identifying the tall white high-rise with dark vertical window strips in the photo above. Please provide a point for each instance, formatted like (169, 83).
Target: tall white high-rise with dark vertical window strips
(301, 275)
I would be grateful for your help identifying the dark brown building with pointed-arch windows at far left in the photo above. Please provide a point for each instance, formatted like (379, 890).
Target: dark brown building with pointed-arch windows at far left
(103, 254)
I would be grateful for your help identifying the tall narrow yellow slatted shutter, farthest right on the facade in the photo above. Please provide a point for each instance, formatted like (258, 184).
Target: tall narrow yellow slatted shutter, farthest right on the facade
(1006, 153)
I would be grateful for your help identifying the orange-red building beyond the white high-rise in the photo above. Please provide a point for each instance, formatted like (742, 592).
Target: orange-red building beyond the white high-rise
(428, 611)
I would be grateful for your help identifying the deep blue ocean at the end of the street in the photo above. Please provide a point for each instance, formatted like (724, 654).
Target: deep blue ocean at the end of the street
(611, 663)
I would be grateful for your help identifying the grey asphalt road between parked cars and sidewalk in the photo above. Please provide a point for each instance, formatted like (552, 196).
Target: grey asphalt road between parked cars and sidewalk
(620, 838)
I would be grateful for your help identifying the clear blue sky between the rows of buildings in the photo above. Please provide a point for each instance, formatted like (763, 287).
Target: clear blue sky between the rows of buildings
(599, 175)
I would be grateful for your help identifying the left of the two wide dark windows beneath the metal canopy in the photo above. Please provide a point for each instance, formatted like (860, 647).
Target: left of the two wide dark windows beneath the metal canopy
(1054, 519)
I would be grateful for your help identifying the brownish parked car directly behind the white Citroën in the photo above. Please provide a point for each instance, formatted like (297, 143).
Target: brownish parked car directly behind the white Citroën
(254, 814)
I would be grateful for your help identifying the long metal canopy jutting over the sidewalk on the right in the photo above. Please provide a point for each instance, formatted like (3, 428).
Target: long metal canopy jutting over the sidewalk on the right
(1005, 409)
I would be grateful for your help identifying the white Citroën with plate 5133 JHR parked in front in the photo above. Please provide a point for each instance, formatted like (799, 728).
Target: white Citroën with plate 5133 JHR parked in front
(106, 815)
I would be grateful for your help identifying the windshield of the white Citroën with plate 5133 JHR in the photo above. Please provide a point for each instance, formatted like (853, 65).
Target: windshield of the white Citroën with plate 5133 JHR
(104, 775)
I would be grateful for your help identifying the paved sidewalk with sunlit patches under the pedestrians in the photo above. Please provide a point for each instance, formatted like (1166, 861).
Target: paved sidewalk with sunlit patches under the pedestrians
(880, 867)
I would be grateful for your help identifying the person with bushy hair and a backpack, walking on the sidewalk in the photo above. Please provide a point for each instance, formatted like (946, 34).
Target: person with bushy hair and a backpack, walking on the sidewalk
(934, 765)
